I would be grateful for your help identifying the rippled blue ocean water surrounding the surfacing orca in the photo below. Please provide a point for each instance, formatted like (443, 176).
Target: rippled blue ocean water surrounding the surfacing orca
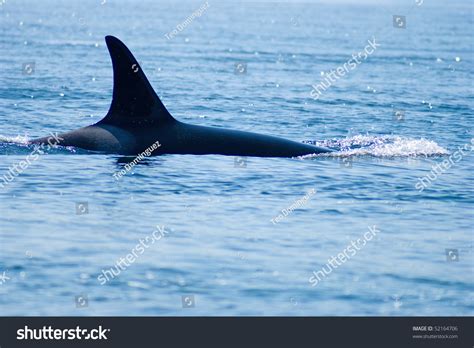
(250, 66)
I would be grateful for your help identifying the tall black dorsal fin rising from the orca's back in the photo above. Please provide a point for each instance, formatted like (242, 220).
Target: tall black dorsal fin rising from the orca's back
(134, 102)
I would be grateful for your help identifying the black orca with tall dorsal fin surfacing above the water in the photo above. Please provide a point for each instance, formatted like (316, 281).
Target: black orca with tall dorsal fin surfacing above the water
(137, 119)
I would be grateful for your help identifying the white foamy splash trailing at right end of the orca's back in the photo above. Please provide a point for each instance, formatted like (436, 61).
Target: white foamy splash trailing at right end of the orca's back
(381, 146)
